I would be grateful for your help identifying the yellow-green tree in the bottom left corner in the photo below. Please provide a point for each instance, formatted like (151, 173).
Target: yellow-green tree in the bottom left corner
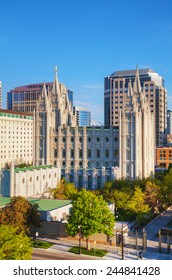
(14, 246)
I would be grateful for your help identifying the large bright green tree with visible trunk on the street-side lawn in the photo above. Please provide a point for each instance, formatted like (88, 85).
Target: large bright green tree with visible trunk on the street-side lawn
(91, 214)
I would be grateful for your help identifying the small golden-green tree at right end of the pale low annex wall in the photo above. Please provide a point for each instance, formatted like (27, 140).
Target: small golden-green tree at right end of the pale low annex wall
(64, 190)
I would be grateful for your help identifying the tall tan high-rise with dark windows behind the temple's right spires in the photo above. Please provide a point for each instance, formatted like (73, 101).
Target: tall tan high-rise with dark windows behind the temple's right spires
(115, 91)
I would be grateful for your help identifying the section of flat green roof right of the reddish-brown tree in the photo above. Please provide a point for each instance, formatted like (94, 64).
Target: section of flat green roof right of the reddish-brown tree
(50, 204)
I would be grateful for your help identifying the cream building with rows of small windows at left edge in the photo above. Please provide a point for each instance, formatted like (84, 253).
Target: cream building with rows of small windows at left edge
(16, 138)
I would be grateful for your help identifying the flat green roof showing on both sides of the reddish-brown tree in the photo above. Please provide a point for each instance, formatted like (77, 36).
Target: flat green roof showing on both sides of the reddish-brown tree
(44, 204)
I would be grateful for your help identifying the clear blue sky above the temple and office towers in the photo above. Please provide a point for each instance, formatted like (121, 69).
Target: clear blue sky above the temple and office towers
(87, 40)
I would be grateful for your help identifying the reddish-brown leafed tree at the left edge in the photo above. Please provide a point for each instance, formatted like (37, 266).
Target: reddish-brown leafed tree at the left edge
(21, 214)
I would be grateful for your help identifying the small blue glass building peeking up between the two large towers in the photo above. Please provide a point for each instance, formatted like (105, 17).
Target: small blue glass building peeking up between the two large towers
(83, 116)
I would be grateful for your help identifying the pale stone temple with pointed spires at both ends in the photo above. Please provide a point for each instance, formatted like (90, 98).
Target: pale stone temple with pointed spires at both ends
(90, 156)
